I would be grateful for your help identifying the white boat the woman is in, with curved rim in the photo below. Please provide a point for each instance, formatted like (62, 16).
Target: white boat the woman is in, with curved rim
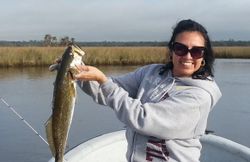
(112, 147)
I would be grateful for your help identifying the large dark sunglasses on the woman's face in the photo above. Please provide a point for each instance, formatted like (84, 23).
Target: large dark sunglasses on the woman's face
(182, 50)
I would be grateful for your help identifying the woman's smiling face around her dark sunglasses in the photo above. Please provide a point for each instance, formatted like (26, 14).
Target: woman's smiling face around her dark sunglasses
(185, 66)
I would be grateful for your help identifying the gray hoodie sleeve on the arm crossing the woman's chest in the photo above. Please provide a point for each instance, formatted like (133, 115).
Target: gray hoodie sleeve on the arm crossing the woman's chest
(175, 117)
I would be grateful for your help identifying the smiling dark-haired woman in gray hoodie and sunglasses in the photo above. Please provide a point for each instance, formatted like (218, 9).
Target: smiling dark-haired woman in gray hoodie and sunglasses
(165, 107)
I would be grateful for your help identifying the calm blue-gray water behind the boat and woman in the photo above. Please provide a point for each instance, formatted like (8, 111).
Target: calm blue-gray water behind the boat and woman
(30, 90)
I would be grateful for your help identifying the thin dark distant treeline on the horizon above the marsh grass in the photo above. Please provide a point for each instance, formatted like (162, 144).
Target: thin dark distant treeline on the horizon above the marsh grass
(116, 43)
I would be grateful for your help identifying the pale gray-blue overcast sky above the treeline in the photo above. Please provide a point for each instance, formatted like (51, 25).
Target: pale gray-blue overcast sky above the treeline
(121, 20)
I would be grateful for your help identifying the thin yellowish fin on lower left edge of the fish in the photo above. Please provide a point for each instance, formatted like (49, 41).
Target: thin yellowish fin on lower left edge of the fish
(49, 134)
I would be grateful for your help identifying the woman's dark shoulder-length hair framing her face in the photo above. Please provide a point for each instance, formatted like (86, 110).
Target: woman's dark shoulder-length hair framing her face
(192, 26)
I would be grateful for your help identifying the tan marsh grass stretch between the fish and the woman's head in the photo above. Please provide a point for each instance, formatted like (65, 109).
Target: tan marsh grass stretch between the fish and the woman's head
(125, 55)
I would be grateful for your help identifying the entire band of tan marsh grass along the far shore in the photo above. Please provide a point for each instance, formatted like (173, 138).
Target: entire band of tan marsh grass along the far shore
(44, 56)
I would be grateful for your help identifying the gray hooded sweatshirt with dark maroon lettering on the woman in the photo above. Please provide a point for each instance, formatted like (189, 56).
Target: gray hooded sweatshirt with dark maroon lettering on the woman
(164, 116)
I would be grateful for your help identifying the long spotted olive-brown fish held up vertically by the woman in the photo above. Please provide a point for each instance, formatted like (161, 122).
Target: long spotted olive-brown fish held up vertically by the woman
(64, 96)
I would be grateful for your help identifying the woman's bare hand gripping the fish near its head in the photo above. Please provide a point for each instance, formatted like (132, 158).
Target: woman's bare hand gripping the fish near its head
(90, 73)
